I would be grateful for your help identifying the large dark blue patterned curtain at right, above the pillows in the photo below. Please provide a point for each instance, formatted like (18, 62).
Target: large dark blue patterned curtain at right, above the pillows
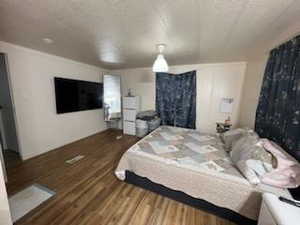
(278, 111)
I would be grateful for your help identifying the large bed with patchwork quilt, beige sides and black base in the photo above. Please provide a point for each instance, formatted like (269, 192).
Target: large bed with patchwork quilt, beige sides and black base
(193, 168)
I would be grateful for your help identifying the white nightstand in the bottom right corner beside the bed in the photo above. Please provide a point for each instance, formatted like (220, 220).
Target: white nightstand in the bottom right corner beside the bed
(275, 212)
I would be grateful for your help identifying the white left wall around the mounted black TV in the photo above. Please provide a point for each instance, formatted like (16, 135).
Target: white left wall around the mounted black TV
(40, 128)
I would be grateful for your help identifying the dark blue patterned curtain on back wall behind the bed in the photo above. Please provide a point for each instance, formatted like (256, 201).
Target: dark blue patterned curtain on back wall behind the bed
(176, 99)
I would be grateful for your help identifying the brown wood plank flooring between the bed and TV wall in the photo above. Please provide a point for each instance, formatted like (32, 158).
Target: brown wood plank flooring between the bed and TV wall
(88, 193)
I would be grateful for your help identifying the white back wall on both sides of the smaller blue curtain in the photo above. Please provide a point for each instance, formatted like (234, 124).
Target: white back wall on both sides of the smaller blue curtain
(214, 81)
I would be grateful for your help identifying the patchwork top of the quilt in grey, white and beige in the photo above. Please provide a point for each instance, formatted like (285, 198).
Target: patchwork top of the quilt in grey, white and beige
(187, 148)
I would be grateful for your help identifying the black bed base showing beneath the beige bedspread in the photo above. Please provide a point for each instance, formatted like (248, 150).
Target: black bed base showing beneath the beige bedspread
(179, 196)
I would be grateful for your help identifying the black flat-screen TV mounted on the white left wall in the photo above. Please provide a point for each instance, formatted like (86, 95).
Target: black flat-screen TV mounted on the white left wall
(77, 95)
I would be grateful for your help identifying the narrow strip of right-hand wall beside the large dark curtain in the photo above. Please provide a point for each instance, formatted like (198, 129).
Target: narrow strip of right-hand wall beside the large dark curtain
(251, 91)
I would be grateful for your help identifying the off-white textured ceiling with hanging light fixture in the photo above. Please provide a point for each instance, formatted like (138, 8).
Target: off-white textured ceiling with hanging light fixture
(123, 33)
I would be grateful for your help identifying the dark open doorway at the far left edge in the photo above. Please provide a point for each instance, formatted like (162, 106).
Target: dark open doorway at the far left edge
(8, 129)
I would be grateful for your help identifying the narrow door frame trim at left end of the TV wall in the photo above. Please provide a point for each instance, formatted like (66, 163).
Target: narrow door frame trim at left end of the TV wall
(11, 94)
